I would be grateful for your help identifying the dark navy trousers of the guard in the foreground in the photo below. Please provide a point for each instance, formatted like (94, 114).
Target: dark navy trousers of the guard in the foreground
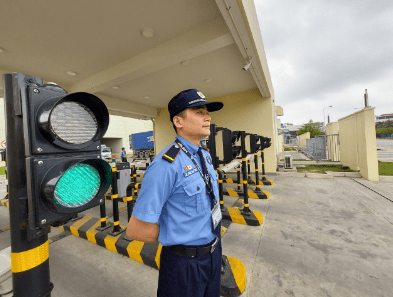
(182, 276)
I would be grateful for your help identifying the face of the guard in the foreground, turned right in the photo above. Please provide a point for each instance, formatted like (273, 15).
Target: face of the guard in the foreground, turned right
(196, 123)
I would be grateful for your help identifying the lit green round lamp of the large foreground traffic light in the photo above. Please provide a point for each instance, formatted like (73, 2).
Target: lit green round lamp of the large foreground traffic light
(77, 186)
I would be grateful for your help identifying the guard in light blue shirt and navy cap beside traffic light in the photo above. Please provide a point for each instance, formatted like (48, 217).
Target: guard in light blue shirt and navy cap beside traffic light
(178, 204)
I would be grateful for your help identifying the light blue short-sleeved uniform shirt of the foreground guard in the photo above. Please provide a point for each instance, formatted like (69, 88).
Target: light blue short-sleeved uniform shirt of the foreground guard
(175, 196)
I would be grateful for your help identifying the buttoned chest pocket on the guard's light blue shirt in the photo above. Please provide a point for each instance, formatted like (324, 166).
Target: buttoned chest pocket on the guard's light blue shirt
(193, 196)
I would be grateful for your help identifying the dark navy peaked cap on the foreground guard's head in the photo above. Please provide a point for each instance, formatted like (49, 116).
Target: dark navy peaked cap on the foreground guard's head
(190, 98)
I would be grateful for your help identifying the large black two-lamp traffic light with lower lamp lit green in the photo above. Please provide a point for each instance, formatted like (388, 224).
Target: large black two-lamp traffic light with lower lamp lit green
(64, 170)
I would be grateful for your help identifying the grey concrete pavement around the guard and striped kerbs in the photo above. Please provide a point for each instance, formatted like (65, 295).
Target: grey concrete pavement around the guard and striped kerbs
(320, 237)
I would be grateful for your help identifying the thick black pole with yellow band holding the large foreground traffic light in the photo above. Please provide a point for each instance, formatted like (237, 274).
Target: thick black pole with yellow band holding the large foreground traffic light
(29, 257)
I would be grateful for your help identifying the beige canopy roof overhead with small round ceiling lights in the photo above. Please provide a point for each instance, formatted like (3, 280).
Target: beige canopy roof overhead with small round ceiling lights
(102, 43)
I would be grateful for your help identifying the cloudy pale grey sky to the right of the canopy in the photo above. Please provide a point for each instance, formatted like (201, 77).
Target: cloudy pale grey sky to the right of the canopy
(323, 53)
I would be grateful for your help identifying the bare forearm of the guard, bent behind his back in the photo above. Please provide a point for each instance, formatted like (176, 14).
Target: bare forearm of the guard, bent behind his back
(142, 231)
